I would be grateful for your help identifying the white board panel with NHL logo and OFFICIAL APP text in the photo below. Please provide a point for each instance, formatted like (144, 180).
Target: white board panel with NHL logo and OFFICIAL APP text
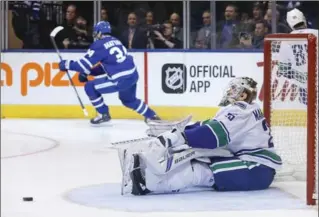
(197, 79)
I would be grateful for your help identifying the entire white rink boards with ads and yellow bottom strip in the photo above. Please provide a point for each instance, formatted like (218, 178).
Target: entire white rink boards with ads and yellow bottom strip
(188, 82)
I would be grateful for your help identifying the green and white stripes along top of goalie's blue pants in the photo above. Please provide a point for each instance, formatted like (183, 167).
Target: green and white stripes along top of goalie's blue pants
(232, 165)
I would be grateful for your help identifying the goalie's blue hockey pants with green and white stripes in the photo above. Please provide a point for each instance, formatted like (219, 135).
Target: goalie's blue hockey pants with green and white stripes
(234, 174)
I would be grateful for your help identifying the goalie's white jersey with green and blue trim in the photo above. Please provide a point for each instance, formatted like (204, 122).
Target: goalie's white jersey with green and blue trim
(247, 133)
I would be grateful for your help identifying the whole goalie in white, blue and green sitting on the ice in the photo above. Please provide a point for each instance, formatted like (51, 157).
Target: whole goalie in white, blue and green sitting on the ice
(231, 152)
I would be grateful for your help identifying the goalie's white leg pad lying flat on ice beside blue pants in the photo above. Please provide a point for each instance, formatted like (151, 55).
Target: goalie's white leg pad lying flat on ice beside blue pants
(188, 175)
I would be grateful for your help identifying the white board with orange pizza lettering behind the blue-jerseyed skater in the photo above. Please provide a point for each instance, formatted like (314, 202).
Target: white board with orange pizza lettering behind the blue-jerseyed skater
(35, 78)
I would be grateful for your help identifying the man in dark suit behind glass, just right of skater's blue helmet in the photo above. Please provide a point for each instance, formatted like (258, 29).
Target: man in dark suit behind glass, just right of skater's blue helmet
(133, 36)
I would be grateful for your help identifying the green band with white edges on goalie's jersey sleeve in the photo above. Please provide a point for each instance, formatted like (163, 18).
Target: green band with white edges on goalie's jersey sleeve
(220, 132)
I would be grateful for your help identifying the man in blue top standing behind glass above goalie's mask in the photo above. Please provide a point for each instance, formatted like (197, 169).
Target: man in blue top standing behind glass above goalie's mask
(228, 30)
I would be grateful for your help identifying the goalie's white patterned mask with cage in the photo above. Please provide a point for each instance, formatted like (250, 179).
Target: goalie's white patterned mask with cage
(237, 89)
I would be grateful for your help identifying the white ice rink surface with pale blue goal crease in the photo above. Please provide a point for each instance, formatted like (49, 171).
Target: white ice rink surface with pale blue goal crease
(69, 169)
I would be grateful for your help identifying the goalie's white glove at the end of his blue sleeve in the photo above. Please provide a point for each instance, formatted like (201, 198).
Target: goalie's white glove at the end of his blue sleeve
(174, 140)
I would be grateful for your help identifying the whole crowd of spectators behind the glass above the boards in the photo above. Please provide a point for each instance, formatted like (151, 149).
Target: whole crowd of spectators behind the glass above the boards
(141, 25)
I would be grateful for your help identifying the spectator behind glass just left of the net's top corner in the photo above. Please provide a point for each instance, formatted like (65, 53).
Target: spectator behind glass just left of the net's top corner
(257, 40)
